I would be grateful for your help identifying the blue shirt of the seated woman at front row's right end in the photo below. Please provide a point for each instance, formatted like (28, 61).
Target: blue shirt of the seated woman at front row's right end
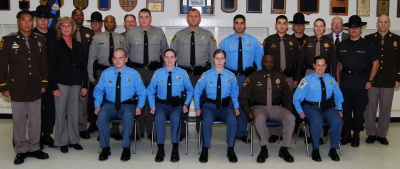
(310, 89)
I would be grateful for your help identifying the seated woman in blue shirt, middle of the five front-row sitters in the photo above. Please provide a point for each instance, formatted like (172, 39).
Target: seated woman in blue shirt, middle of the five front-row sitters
(221, 89)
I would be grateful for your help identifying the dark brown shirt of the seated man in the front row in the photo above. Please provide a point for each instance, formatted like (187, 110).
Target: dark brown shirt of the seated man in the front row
(255, 87)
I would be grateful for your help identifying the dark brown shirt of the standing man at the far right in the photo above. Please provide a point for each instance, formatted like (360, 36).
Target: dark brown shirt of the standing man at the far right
(389, 59)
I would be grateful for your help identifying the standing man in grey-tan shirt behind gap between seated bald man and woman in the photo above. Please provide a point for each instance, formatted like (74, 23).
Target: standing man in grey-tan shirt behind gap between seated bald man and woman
(145, 46)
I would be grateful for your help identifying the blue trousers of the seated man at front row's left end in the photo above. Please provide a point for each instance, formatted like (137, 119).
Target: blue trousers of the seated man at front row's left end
(107, 112)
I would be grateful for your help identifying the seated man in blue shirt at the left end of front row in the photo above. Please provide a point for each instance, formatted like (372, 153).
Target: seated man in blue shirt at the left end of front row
(119, 83)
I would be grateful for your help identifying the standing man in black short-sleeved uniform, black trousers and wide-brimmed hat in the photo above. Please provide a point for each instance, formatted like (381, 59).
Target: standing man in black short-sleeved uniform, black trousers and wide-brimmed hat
(358, 61)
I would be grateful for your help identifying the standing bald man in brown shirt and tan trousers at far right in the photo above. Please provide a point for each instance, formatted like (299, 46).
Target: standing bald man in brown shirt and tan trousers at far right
(387, 77)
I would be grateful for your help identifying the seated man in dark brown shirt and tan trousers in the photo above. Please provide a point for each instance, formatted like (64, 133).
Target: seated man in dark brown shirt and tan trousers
(271, 96)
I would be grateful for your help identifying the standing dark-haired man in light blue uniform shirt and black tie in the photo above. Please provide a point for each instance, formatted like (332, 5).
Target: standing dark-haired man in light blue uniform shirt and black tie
(243, 57)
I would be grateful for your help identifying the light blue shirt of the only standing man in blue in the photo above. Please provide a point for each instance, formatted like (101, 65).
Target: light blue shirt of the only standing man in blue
(252, 51)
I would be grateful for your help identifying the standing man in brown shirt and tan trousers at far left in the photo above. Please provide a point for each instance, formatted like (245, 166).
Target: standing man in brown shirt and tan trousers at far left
(23, 77)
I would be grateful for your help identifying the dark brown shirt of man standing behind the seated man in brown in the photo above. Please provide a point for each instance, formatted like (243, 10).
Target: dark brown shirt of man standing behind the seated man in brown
(292, 51)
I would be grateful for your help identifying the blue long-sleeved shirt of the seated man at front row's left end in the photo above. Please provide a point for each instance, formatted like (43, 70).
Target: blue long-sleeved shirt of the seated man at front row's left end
(131, 83)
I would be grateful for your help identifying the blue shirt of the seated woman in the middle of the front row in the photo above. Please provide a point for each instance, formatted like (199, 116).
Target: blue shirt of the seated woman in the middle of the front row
(208, 80)
